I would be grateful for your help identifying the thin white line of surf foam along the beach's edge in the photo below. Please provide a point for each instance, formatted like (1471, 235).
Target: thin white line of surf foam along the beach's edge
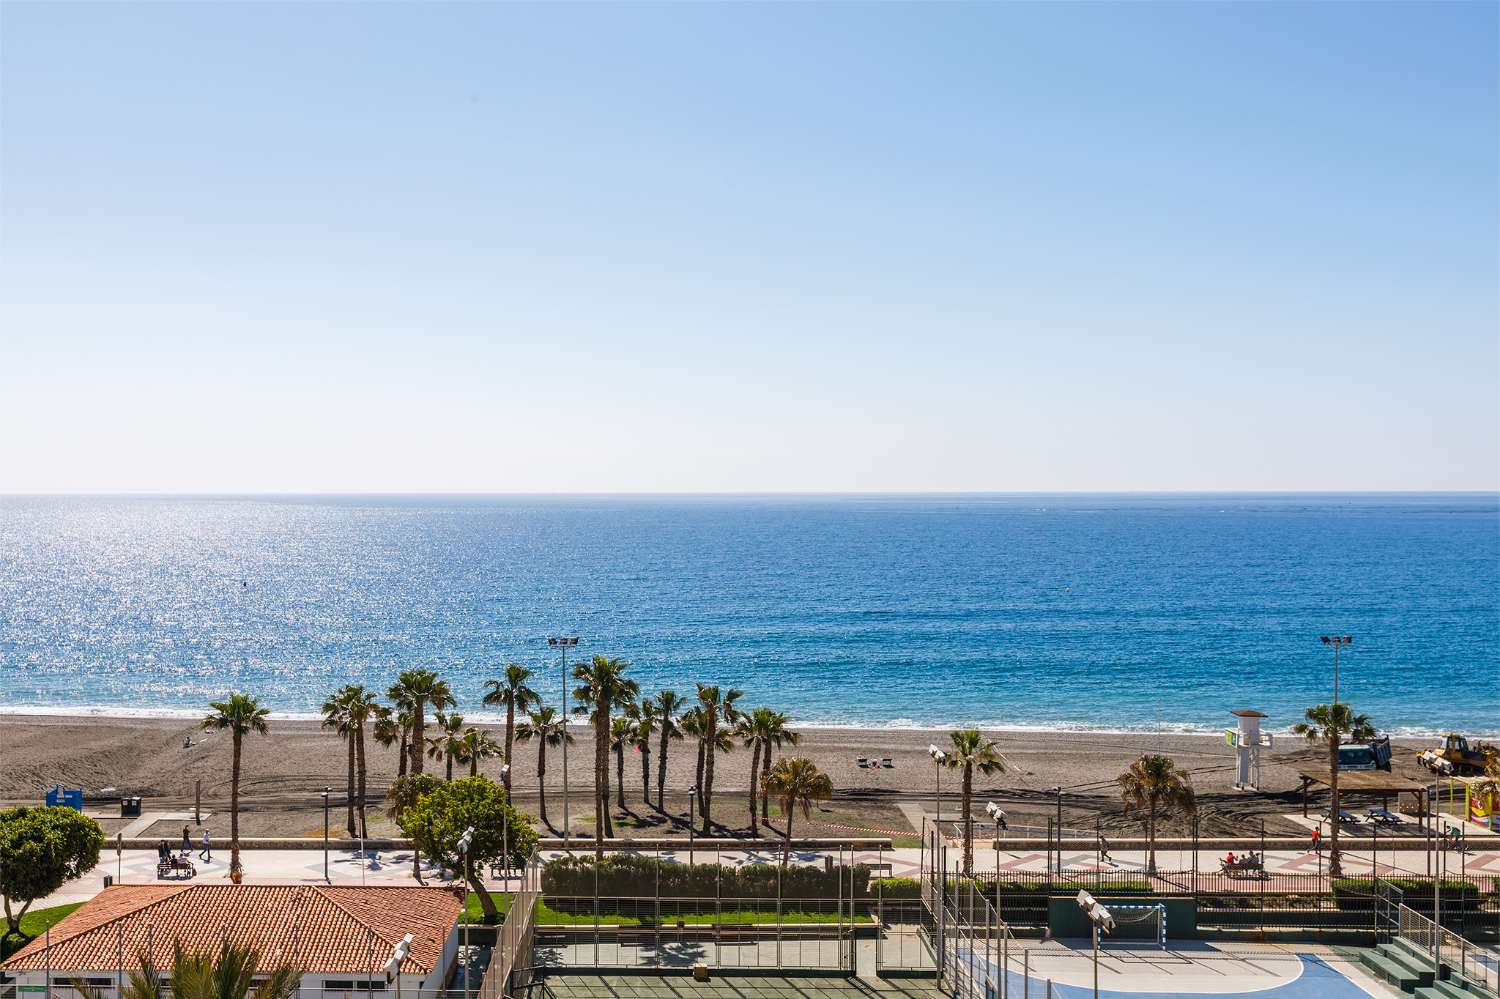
(118, 713)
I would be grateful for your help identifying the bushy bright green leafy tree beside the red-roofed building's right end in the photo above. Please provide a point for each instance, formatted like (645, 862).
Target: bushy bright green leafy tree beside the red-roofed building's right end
(439, 820)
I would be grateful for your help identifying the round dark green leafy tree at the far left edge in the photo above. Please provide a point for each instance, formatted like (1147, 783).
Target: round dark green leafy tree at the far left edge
(41, 850)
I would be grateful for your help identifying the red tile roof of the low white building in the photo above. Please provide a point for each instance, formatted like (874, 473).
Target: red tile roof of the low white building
(325, 929)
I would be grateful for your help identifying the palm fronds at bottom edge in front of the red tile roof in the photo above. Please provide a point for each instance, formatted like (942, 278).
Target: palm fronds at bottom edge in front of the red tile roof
(230, 974)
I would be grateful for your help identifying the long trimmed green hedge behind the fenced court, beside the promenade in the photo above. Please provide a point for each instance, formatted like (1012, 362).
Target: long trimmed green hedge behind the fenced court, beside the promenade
(628, 877)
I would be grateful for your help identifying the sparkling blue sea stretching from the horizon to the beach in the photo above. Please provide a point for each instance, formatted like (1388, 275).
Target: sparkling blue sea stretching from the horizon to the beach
(1111, 613)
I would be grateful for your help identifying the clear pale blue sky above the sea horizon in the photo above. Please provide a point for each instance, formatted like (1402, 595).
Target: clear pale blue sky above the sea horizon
(295, 247)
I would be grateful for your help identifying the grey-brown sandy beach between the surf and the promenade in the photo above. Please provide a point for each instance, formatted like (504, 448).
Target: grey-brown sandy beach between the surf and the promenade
(110, 757)
